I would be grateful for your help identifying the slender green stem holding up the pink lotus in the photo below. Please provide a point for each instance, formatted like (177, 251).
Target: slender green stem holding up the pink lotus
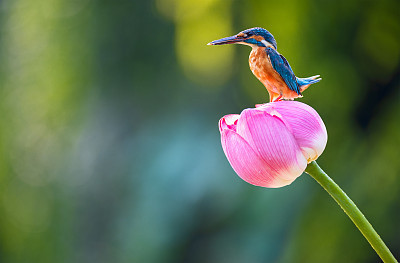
(352, 211)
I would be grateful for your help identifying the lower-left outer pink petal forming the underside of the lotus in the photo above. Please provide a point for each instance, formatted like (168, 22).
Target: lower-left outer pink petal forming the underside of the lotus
(247, 163)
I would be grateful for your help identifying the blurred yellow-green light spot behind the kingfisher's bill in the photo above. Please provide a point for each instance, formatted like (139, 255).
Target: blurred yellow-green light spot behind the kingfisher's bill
(197, 23)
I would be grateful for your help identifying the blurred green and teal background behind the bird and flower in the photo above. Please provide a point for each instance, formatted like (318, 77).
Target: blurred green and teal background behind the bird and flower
(109, 146)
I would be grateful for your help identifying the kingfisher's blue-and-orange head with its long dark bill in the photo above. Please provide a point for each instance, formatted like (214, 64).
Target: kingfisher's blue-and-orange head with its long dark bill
(256, 36)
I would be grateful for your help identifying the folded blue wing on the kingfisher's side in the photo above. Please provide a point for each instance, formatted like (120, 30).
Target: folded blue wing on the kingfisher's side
(281, 65)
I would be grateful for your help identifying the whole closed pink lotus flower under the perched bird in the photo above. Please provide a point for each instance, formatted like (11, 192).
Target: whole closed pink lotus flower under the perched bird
(271, 145)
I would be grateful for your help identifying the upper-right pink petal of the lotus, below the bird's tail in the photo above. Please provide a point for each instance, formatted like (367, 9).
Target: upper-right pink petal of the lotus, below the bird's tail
(306, 125)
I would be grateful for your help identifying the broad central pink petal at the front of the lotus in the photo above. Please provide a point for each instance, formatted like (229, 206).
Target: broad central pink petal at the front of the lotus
(274, 143)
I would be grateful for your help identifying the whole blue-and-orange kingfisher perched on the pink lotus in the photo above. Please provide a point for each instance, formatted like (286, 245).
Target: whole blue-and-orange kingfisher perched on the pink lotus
(270, 67)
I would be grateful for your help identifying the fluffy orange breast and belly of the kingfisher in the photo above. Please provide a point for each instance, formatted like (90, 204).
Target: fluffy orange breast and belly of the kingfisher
(261, 67)
